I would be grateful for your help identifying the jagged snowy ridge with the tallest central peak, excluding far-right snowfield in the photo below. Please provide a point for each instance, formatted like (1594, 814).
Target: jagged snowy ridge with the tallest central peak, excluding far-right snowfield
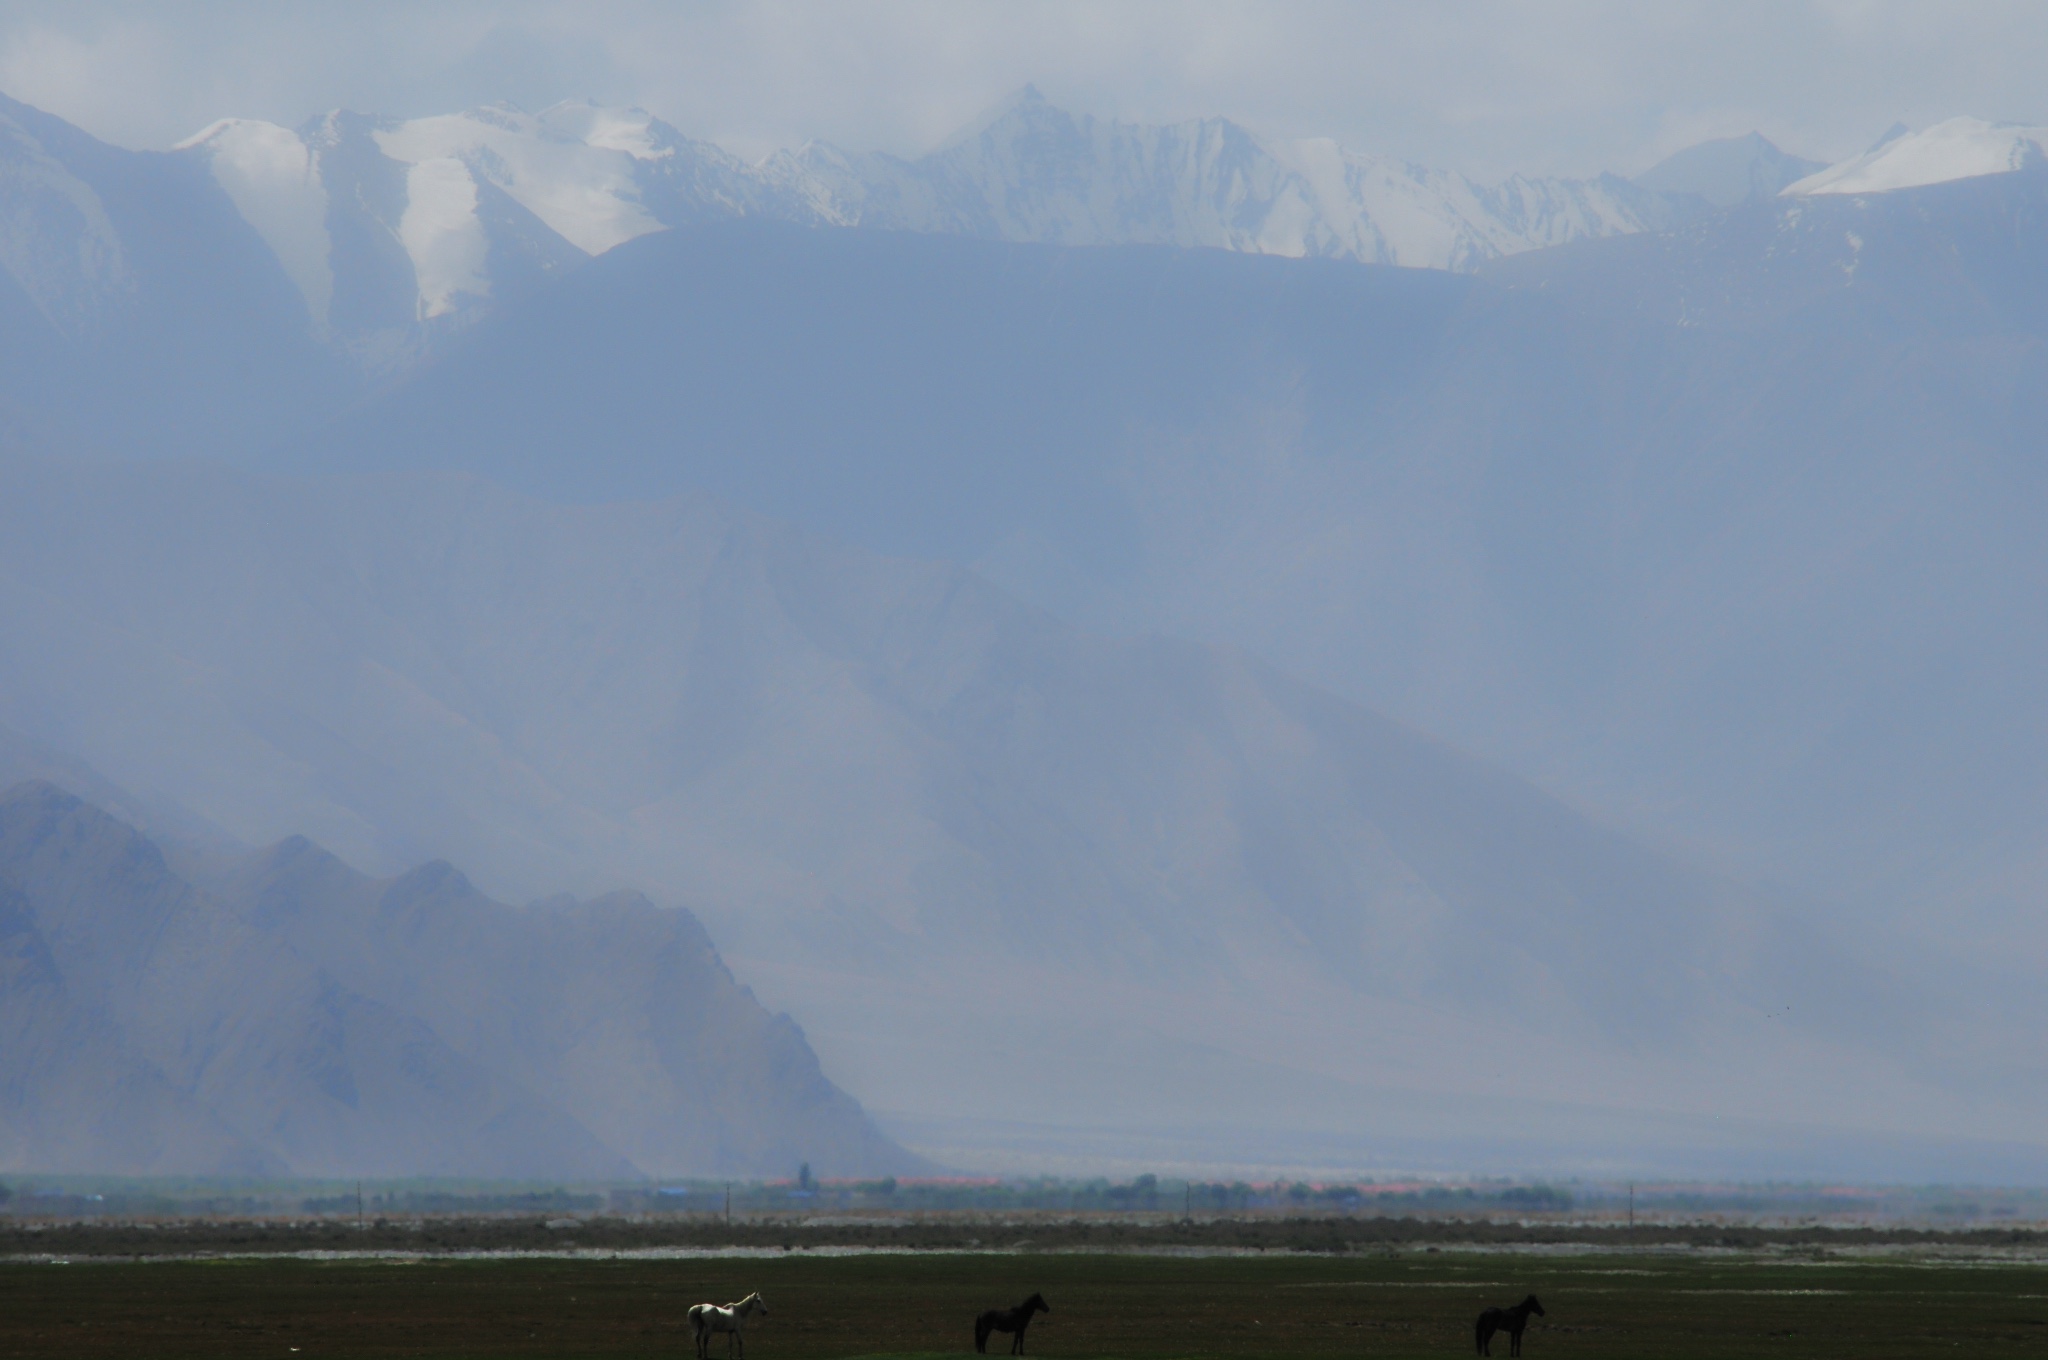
(474, 206)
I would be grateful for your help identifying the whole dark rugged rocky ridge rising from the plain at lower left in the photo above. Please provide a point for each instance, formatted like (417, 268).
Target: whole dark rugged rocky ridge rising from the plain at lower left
(310, 1021)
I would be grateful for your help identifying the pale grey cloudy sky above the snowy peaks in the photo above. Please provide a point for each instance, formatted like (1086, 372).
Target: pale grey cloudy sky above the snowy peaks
(1558, 87)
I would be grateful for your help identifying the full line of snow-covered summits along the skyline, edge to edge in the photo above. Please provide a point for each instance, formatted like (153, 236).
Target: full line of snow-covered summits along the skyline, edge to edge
(394, 230)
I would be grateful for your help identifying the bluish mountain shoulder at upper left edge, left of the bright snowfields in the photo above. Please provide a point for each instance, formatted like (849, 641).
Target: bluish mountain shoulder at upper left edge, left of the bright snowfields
(138, 310)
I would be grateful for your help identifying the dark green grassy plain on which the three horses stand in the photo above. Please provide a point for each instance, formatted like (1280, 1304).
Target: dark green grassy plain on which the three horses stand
(1400, 1304)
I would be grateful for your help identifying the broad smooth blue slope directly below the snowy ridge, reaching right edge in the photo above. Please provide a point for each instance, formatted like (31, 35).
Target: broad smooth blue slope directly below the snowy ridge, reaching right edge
(1725, 529)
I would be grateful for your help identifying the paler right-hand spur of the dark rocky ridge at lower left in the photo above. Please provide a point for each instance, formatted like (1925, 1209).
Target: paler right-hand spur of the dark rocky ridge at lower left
(615, 1009)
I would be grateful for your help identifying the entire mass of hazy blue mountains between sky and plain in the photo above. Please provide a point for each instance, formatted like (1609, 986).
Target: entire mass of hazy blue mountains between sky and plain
(1291, 650)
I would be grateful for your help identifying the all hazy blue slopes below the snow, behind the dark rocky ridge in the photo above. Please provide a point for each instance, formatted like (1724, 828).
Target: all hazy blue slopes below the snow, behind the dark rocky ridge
(1721, 532)
